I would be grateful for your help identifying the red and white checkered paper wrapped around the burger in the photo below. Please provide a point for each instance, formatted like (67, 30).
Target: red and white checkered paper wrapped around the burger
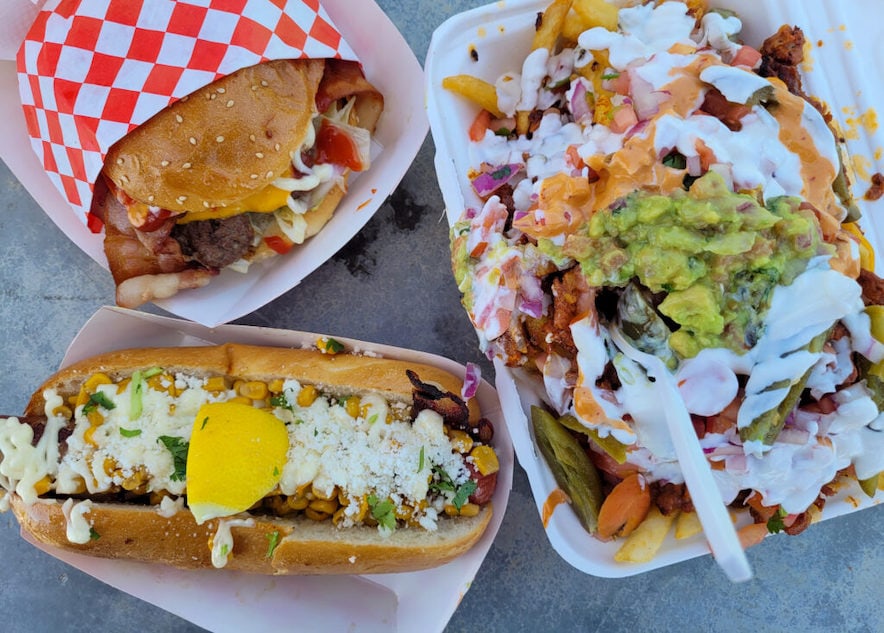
(90, 71)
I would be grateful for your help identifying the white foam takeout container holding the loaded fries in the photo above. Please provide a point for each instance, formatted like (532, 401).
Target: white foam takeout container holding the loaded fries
(842, 41)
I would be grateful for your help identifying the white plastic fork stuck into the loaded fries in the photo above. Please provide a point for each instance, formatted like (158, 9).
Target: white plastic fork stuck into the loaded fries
(717, 524)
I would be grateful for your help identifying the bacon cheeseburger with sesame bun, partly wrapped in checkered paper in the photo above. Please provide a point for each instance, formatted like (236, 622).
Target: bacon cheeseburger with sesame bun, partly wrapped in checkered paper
(234, 173)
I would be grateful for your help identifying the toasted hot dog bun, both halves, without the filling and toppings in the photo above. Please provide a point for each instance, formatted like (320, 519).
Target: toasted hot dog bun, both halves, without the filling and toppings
(148, 532)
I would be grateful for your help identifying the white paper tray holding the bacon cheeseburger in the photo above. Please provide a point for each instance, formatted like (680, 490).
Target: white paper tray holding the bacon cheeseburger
(389, 64)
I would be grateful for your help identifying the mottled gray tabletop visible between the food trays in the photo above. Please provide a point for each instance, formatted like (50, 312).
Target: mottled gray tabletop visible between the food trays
(828, 579)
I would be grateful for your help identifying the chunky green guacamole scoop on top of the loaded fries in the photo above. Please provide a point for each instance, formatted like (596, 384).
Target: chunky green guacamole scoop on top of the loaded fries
(717, 256)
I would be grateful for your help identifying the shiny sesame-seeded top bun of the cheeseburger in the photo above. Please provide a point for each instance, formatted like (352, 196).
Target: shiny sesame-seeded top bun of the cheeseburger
(222, 143)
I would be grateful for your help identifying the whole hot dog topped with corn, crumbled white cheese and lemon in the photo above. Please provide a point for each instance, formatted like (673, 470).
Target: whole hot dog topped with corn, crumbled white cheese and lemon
(267, 460)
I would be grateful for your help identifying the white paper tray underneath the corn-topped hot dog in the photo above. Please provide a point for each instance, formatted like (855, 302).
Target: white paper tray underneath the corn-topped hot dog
(221, 600)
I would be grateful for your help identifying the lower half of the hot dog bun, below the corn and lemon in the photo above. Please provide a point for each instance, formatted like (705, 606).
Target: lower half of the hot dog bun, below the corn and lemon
(305, 546)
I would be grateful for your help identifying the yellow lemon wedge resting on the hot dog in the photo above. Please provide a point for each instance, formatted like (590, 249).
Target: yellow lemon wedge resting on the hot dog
(236, 457)
